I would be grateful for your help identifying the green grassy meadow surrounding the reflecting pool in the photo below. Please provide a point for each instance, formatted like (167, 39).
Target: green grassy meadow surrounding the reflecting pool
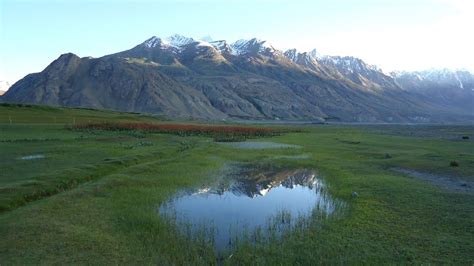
(93, 198)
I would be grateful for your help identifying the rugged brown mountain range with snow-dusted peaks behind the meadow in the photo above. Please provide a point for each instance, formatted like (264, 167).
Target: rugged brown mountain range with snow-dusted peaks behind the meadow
(182, 77)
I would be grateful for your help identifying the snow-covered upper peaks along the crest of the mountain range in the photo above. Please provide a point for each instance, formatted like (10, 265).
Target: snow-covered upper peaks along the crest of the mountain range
(345, 65)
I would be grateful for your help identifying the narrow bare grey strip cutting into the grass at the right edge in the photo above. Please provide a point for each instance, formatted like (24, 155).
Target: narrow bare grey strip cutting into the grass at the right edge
(441, 181)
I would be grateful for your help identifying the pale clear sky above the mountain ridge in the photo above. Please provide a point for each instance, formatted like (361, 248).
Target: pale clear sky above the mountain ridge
(393, 34)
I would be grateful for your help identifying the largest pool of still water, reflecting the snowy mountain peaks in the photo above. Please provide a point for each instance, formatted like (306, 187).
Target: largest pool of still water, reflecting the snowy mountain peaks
(249, 206)
